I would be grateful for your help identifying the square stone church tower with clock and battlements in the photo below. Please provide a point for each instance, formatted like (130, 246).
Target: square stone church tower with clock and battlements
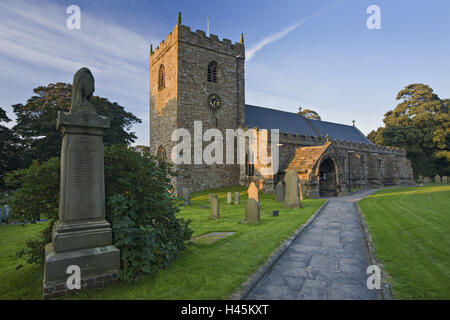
(194, 77)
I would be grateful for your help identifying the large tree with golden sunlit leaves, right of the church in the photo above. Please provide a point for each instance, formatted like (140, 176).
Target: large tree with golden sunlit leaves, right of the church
(420, 124)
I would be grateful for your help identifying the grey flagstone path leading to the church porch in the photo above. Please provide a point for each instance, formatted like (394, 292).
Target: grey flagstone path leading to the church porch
(327, 261)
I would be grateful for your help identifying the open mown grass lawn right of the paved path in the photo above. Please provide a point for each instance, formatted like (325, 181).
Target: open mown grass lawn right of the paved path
(410, 229)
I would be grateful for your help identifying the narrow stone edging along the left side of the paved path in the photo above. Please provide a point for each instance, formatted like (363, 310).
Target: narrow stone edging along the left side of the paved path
(256, 277)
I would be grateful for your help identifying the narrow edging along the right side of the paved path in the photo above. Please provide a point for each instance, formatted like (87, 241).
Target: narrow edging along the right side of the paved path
(385, 293)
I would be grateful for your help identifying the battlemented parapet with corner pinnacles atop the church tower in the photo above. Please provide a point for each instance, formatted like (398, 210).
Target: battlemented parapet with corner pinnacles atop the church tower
(198, 38)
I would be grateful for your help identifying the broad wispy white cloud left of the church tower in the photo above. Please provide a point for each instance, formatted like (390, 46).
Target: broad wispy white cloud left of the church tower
(34, 38)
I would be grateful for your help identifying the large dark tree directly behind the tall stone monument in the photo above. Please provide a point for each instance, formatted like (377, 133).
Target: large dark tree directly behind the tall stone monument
(36, 120)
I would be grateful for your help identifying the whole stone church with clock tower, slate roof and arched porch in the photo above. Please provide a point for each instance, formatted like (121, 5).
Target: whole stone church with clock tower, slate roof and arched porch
(198, 77)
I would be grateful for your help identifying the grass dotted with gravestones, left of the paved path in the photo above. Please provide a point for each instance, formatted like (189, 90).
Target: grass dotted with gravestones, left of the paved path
(203, 271)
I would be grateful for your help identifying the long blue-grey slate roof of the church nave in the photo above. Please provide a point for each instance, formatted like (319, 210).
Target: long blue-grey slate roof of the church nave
(288, 122)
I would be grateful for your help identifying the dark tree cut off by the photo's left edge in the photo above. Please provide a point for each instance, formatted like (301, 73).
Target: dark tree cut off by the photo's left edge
(10, 147)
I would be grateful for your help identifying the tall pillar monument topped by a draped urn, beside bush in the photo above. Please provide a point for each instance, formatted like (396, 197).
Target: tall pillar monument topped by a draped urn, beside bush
(81, 237)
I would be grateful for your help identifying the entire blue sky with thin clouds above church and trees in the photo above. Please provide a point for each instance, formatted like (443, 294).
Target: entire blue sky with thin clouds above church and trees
(322, 56)
